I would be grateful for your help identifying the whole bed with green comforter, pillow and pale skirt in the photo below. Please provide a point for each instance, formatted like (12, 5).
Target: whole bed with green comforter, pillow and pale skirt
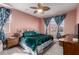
(34, 42)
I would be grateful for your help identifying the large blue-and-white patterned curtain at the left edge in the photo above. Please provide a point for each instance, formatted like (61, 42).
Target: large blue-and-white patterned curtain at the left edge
(4, 15)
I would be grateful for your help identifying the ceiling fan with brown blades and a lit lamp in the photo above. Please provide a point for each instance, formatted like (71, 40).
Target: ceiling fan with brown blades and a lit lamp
(40, 8)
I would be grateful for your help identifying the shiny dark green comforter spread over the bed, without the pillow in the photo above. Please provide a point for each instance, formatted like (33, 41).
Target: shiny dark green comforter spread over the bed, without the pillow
(33, 42)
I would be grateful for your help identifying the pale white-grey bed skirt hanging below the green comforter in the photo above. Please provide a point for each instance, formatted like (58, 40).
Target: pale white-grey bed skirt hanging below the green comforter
(38, 50)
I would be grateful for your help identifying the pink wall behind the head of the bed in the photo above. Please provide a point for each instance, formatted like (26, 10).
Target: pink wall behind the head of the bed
(20, 21)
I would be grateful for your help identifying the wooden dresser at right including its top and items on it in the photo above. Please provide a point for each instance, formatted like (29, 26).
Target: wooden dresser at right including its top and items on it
(70, 45)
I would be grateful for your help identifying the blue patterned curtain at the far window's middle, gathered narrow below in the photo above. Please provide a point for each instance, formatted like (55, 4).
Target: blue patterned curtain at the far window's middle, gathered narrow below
(59, 20)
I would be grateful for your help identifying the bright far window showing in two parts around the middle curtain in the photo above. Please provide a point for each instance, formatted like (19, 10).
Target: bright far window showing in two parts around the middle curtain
(53, 28)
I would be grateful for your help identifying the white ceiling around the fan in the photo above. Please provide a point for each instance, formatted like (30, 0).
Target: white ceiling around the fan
(55, 8)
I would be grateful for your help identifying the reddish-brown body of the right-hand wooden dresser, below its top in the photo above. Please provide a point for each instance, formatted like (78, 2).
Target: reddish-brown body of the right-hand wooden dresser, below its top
(70, 48)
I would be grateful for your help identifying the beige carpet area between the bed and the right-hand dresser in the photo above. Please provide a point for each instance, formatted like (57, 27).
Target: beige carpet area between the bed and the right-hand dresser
(56, 49)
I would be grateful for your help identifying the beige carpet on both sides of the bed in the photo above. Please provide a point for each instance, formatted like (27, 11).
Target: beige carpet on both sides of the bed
(56, 49)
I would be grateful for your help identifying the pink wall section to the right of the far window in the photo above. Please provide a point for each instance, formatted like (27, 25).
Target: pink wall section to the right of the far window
(70, 22)
